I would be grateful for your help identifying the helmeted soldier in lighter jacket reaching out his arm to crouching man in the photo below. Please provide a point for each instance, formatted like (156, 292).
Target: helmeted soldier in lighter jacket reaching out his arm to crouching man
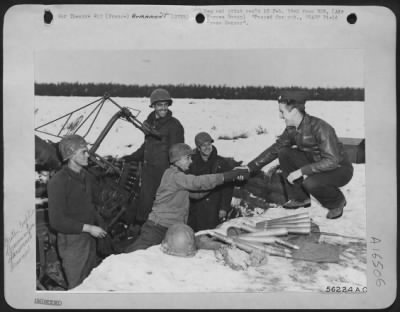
(171, 205)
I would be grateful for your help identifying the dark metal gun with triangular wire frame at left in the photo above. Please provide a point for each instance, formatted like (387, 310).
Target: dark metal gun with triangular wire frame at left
(118, 181)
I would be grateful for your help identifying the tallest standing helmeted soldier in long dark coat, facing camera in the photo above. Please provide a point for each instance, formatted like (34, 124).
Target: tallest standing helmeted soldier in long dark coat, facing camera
(154, 152)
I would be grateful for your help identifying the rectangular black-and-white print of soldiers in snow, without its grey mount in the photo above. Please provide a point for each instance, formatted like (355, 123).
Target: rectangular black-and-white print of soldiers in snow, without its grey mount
(227, 116)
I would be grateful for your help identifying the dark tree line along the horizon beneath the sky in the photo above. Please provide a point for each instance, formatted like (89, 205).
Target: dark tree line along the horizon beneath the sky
(194, 91)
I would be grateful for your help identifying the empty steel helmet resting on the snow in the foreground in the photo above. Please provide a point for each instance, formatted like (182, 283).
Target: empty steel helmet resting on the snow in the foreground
(179, 241)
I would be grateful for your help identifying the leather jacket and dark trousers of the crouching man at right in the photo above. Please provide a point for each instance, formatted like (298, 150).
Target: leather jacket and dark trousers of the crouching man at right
(314, 149)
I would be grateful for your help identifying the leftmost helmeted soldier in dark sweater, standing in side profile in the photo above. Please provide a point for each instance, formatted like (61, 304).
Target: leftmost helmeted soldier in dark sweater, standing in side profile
(72, 212)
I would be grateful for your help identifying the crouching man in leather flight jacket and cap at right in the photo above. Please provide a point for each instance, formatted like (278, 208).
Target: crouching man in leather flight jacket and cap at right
(311, 157)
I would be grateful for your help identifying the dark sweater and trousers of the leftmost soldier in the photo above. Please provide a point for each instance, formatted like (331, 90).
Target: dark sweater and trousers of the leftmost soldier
(71, 205)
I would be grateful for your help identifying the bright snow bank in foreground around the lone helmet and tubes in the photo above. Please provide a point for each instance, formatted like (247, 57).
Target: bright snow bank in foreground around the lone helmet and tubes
(153, 271)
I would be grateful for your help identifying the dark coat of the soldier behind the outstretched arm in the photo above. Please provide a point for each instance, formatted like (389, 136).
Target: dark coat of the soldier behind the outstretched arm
(204, 212)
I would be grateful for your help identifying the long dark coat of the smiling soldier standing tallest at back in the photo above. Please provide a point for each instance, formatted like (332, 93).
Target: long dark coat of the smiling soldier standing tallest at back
(154, 155)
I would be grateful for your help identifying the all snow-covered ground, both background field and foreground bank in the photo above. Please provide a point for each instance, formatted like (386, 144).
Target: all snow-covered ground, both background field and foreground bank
(256, 124)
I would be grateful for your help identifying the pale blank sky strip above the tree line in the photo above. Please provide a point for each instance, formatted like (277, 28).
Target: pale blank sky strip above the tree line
(272, 67)
